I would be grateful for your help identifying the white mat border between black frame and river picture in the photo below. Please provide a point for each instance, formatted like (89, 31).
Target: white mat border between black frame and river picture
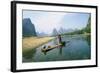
(37, 65)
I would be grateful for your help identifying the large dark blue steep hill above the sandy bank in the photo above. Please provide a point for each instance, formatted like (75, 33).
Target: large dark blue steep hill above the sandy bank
(28, 28)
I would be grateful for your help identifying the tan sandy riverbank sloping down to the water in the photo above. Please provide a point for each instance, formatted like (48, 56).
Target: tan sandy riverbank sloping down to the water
(29, 43)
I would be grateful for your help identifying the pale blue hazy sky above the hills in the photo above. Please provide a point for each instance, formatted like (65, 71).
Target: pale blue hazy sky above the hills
(46, 21)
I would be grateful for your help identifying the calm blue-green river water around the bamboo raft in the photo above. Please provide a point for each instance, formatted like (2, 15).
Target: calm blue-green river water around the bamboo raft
(77, 47)
